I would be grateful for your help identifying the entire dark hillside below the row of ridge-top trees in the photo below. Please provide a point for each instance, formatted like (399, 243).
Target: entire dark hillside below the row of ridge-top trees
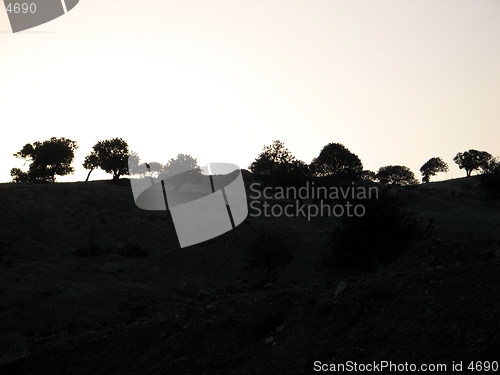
(73, 301)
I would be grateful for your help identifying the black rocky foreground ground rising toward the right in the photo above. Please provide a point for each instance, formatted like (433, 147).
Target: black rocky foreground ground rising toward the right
(437, 304)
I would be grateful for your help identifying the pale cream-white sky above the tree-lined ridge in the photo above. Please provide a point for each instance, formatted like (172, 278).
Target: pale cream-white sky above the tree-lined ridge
(397, 82)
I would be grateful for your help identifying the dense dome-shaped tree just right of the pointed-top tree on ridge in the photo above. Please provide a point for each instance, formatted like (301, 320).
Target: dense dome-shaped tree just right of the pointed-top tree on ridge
(336, 159)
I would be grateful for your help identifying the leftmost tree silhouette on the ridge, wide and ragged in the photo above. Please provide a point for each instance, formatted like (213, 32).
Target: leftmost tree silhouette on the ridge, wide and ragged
(48, 159)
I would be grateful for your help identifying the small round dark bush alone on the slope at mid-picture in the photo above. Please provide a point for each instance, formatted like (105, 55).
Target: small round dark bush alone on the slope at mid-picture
(269, 252)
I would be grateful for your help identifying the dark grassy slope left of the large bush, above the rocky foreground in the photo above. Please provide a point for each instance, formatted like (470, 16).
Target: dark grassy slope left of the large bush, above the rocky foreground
(76, 257)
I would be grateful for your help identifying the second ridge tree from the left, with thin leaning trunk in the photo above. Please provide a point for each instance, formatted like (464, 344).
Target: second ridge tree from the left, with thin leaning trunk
(111, 156)
